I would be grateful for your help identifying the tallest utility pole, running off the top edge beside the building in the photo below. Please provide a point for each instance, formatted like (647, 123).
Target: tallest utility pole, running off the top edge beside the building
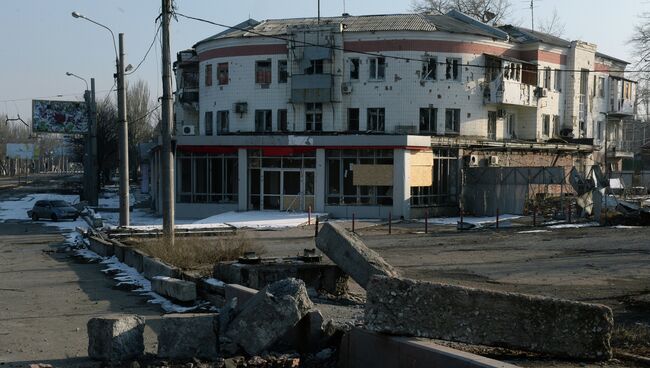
(166, 129)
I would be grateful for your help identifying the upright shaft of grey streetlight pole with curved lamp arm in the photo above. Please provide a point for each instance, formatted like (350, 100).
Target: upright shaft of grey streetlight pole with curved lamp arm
(123, 137)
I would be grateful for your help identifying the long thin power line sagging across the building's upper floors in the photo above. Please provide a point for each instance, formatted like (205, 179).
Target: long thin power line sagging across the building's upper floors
(374, 54)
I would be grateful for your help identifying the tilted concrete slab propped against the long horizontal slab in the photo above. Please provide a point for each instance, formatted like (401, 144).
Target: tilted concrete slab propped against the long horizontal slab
(349, 252)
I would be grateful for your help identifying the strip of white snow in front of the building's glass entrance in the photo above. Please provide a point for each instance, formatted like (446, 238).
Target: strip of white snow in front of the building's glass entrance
(259, 219)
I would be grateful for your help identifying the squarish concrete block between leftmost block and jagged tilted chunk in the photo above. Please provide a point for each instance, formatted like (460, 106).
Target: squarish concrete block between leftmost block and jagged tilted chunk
(187, 336)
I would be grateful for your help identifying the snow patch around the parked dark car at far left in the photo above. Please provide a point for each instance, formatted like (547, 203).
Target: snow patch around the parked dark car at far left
(16, 209)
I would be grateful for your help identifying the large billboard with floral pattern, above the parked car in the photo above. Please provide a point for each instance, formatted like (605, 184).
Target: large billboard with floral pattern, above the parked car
(66, 117)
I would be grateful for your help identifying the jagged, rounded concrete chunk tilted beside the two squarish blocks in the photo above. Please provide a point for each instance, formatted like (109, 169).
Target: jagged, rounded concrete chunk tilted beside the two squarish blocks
(268, 315)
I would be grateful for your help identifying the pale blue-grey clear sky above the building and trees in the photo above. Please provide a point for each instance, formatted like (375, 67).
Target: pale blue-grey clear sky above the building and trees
(41, 41)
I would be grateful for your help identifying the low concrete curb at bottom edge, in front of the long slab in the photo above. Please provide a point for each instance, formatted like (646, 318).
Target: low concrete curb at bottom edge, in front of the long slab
(401, 352)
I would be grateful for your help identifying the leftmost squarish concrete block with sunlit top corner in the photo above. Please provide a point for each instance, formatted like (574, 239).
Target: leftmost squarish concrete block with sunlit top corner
(115, 338)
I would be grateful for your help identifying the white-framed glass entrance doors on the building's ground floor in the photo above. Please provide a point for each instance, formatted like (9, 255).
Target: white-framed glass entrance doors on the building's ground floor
(287, 189)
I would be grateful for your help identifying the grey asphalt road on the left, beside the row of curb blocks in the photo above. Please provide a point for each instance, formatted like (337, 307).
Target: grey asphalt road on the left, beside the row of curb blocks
(46, 298)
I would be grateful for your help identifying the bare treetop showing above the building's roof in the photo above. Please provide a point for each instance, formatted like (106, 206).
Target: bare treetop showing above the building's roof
(486, 11)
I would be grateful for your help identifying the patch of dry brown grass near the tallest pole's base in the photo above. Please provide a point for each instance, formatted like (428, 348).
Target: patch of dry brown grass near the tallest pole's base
(198, 253)
